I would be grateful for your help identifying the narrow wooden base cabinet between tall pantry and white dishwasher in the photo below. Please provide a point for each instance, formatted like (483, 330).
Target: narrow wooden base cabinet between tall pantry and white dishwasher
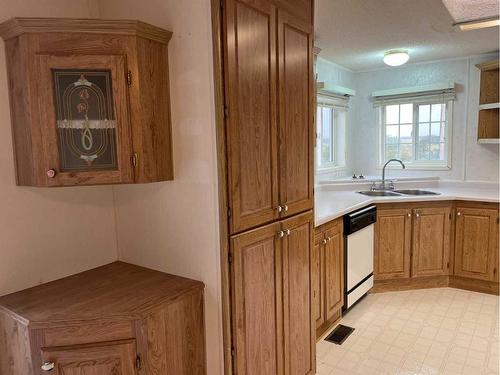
(328, 274)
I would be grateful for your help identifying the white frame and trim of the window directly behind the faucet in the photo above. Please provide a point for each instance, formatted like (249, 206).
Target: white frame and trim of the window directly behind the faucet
(417, 164)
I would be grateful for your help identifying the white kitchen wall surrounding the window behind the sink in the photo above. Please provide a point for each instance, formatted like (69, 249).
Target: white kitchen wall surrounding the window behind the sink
(470, 160)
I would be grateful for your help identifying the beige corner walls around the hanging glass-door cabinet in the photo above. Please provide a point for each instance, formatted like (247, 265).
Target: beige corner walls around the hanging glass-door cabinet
(172, 226)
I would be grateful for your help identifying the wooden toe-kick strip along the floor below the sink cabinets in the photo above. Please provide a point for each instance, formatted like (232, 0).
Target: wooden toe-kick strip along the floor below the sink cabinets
(474, 285)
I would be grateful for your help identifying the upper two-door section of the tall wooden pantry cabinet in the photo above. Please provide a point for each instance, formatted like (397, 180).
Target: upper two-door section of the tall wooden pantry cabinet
(268, 98)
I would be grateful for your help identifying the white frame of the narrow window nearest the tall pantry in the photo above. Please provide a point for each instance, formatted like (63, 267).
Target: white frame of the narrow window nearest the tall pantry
(331, 166)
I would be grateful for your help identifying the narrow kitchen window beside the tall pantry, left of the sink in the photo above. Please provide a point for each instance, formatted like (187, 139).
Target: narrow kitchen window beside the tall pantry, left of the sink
(330, 136)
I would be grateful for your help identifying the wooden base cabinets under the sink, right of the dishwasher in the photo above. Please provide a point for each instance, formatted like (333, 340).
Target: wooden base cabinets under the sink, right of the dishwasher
(437, 245)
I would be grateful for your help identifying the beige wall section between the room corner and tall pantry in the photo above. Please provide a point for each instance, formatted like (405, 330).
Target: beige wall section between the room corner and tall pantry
(173, 226)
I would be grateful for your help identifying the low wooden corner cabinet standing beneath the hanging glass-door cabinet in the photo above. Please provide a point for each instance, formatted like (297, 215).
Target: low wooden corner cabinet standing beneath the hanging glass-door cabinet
(117, 319)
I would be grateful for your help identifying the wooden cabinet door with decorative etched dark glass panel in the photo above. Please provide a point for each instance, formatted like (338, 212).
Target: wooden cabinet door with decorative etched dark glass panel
(85, 125)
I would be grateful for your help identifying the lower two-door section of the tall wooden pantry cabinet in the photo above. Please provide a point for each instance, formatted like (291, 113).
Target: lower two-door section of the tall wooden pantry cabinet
(273, 331)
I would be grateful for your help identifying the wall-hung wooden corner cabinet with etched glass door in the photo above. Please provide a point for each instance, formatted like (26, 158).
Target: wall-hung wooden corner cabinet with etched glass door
(89, 101)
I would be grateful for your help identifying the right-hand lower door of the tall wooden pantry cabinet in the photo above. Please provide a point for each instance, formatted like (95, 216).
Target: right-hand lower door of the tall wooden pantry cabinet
(299, 332)
